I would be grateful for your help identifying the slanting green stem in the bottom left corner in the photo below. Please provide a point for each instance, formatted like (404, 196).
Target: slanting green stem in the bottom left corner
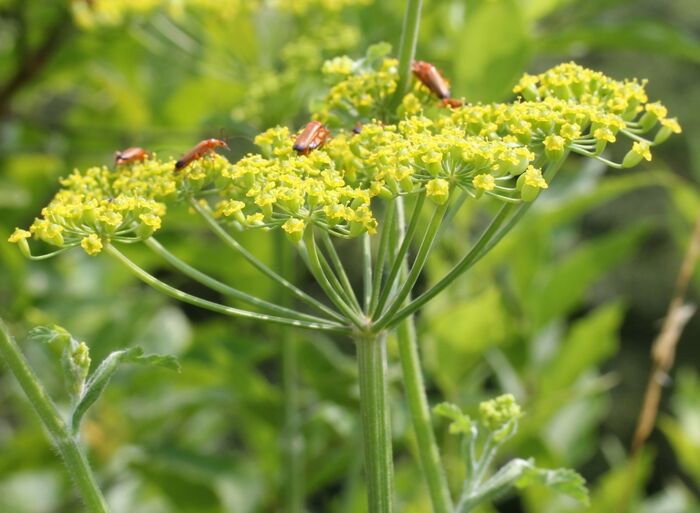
(73, 457)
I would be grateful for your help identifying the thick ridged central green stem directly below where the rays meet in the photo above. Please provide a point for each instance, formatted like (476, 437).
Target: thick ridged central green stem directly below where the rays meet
(376, 425)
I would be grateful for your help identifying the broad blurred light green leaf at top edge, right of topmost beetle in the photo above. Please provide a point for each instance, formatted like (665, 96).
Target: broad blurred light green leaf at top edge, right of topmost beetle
(494, 47)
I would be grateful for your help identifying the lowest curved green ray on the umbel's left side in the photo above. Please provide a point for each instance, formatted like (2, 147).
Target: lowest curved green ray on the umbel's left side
(215, 307)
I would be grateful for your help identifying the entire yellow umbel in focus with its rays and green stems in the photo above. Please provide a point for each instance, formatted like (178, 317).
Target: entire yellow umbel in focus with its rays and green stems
(354, 187)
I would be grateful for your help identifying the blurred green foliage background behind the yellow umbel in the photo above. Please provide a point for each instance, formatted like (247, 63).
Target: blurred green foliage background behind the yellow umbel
(562, 314)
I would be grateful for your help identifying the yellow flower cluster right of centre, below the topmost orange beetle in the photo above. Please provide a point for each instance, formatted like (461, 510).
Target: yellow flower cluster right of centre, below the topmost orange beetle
(421, 154)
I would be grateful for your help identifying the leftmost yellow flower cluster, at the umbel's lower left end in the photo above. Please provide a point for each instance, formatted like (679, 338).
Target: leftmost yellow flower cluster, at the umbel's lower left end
(101, 205)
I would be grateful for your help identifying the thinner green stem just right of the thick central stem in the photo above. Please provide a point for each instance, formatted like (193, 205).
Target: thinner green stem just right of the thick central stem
(414, 386)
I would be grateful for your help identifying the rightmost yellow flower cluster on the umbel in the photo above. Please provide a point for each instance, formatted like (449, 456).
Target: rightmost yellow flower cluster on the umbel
(573, 108)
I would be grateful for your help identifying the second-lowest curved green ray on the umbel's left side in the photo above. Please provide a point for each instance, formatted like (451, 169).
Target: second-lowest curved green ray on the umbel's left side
(222, 288)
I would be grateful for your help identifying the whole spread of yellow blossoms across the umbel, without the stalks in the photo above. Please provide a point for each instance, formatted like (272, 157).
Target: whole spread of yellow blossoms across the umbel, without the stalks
(494, 150)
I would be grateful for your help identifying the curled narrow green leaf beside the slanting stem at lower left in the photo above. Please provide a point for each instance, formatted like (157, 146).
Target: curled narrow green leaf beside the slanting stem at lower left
(100, 378)
